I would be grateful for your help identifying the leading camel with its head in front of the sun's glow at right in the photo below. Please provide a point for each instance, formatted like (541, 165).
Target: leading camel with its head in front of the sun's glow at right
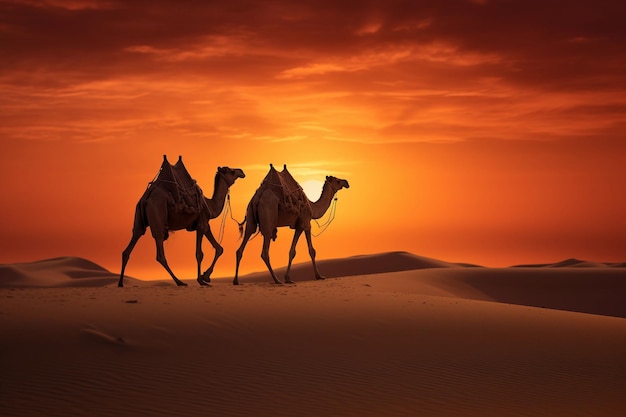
(266, 213)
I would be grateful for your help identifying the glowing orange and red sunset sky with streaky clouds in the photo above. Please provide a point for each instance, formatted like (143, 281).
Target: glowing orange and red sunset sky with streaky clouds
(489, 132)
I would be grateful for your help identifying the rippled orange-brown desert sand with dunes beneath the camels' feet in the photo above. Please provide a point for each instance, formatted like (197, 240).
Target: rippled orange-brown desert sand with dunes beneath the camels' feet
(392, 334)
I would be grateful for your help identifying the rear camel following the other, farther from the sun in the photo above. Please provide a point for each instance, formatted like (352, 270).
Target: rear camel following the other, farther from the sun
(156, 209)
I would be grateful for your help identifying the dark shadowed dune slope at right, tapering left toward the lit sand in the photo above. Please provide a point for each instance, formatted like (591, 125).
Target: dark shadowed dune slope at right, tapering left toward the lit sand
(589, 290)
